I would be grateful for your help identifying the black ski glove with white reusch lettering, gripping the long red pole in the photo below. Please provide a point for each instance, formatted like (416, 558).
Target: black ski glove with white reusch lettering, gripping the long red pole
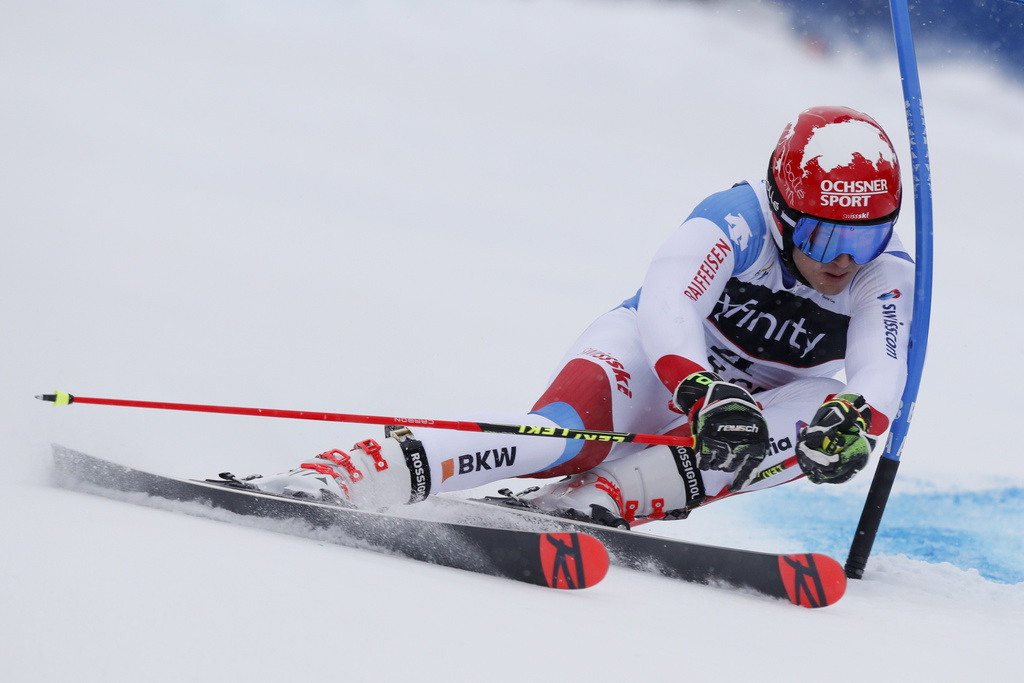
(730, 433)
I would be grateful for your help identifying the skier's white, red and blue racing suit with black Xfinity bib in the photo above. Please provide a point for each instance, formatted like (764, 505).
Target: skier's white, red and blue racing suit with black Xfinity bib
(716, 297)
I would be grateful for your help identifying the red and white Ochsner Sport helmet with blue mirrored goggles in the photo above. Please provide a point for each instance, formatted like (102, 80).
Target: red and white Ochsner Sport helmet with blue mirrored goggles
(834, 186)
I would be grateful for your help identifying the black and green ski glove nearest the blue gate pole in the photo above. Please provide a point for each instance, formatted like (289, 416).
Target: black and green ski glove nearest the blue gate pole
(836, 446)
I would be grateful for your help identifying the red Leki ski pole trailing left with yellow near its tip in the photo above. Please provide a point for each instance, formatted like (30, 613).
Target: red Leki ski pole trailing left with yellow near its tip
(64, 399)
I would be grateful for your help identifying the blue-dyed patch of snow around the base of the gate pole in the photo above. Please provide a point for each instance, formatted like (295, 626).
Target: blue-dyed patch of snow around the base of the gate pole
(983, 531)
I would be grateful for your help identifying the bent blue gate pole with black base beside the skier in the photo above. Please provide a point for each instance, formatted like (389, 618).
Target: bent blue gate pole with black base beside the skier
(885, 474)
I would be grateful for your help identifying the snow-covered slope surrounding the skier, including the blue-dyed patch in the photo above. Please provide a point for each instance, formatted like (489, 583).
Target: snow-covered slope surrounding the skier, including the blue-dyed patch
(411, 209)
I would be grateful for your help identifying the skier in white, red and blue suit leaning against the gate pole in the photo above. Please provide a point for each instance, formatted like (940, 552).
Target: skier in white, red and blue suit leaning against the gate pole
(764, 294)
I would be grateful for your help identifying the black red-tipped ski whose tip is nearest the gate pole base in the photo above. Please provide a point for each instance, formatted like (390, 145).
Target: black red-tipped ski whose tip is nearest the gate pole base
(808, 580)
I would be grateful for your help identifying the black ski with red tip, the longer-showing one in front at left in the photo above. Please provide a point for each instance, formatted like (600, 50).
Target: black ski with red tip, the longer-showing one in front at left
(565, 561)
